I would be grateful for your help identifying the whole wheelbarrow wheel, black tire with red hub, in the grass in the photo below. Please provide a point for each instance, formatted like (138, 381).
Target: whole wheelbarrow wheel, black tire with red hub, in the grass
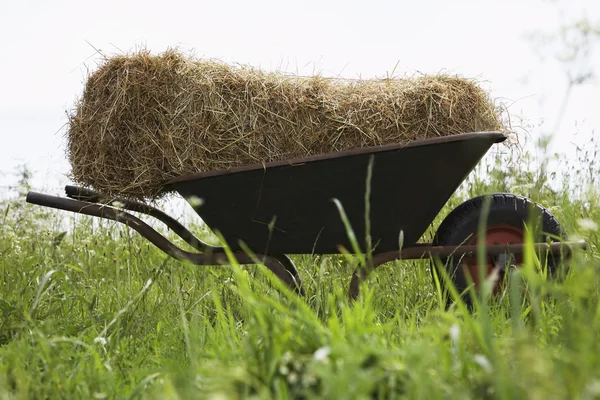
(508, 215)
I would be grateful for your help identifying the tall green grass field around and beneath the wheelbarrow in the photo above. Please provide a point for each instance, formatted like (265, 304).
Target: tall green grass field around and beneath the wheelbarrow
(98, 313)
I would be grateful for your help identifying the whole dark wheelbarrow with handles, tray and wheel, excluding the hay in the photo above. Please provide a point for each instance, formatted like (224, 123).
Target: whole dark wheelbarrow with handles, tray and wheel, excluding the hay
(296, 207)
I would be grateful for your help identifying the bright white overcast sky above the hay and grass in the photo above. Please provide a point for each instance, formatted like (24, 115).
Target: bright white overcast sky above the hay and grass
(45, 53)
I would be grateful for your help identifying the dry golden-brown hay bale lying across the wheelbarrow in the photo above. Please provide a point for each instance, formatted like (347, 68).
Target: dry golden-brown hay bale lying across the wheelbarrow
(145, 119)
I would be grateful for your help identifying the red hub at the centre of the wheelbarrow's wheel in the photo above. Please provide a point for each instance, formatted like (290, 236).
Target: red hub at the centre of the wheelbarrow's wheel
(495, 234)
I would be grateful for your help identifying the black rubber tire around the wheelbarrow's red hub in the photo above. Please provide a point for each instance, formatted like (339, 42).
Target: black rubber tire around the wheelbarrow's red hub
(505, 208)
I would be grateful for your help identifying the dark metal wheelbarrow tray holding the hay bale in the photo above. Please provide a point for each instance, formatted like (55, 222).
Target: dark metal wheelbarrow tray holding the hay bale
(287, 207)
